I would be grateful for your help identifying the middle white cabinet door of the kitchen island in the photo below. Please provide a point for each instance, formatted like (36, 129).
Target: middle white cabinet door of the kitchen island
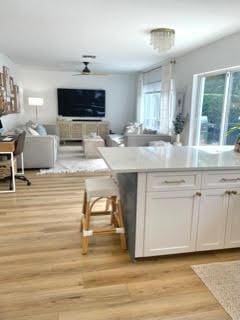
(212, 219)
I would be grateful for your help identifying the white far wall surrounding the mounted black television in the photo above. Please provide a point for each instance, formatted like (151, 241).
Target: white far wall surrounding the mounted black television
(120, 94)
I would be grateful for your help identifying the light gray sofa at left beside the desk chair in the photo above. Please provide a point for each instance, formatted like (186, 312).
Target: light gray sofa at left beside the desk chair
(41, 151)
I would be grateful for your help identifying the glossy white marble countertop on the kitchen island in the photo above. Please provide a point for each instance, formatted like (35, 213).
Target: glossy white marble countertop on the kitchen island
(172, 158)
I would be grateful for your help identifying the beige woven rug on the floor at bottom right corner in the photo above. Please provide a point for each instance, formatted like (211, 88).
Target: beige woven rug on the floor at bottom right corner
(223, 280)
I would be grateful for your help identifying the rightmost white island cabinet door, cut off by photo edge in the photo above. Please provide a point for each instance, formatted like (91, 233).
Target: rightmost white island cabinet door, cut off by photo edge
(233, 222)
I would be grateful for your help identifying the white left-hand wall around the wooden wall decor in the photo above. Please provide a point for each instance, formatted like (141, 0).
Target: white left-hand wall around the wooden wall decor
(9, 121)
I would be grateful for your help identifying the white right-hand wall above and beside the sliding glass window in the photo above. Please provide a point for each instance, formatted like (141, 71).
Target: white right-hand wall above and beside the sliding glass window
(223, 53)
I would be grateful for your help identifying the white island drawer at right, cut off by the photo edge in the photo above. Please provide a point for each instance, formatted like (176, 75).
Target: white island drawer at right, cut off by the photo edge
(218, 179)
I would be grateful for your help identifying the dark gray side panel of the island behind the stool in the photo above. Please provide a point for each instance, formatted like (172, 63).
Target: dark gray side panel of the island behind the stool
(128, 191)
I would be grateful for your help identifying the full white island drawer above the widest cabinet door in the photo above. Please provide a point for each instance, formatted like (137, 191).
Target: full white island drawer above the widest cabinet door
(173, 181)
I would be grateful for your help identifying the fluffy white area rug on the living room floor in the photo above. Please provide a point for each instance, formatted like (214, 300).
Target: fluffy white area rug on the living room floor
(71, 159)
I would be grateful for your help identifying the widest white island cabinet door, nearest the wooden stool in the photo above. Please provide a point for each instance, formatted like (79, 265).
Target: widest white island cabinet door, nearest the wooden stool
(170, 222)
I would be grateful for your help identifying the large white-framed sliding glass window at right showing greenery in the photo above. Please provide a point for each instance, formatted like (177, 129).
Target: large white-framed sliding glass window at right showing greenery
(219, 108)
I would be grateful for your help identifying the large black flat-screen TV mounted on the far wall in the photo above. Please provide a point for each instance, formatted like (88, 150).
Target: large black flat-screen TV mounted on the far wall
(81, 103)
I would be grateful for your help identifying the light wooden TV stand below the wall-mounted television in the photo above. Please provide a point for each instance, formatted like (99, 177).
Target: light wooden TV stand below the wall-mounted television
(75, 130)
